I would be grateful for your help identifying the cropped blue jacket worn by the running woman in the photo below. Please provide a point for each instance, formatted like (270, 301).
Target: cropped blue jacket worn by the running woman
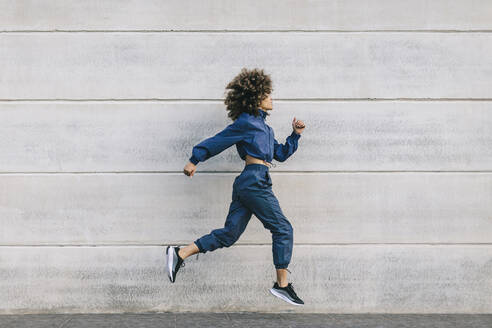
(252, 136)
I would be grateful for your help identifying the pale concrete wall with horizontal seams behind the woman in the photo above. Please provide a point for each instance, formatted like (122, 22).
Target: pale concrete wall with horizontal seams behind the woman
(389, 192)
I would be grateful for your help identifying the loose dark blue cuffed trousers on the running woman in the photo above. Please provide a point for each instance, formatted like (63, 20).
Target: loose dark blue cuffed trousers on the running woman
(252, 194)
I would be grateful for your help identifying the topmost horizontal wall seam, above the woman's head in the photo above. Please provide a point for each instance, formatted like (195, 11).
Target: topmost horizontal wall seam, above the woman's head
(248, 31)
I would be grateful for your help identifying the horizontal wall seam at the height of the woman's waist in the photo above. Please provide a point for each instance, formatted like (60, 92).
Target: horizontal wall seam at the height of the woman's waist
(236, 172)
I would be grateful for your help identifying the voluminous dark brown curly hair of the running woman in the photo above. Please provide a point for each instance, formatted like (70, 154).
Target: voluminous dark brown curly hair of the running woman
(247, 91)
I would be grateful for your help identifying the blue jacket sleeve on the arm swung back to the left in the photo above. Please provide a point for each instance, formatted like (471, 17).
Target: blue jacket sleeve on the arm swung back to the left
(212, 146)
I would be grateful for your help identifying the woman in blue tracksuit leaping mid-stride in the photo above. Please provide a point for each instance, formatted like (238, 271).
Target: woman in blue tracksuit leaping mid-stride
(248, 101)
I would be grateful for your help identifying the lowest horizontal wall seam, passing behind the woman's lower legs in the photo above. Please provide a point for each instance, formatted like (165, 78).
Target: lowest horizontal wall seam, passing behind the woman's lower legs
(236, 245)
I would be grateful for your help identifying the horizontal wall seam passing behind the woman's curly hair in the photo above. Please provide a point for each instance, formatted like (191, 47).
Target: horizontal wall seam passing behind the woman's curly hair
(221, 100)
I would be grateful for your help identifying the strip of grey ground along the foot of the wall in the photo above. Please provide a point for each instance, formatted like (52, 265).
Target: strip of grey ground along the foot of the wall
(244, 319)
